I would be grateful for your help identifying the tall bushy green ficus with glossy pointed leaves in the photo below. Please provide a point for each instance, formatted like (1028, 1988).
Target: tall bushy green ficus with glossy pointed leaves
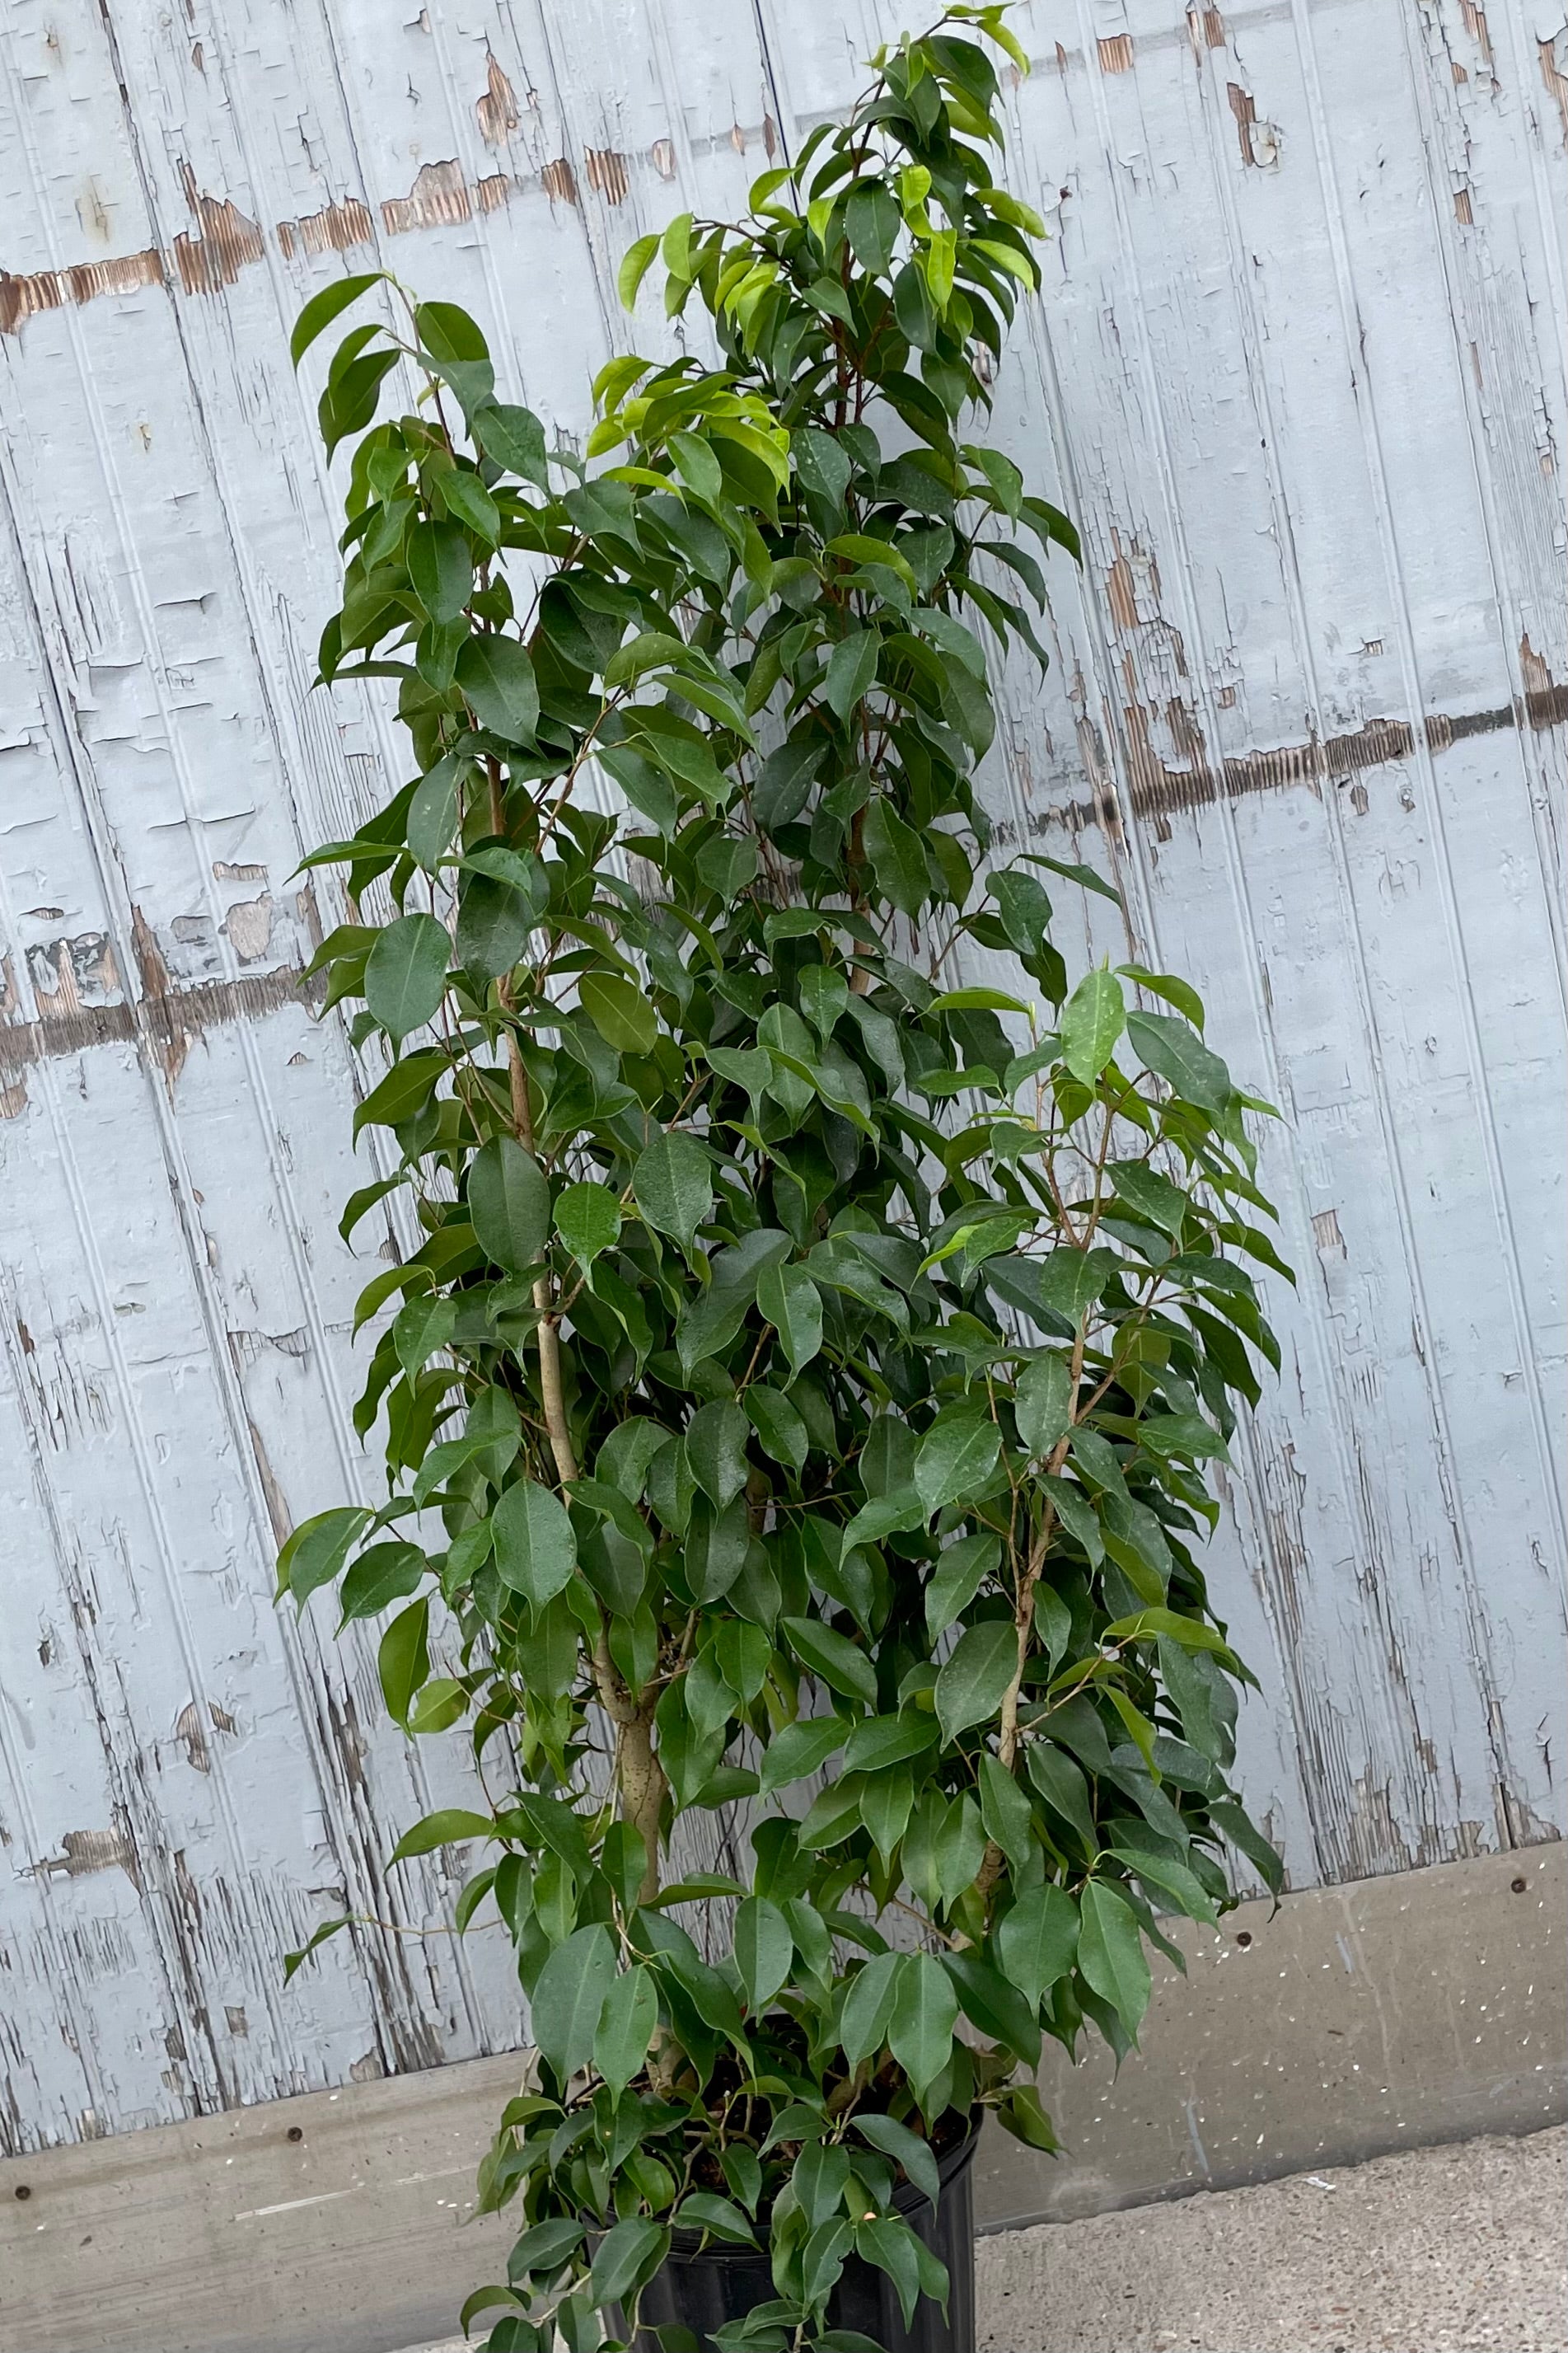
(803, 1373)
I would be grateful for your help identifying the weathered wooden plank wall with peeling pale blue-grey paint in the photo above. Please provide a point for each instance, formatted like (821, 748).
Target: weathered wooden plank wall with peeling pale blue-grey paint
(1299, 375)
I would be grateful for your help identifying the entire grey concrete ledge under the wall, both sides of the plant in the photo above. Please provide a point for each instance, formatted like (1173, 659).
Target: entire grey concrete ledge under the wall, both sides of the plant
(1360, 2020)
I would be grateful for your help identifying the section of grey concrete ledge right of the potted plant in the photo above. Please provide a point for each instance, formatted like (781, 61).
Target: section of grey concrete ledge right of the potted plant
(1353, 2022)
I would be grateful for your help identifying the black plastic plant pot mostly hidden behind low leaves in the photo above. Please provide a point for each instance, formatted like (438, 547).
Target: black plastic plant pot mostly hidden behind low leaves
(723, 2284)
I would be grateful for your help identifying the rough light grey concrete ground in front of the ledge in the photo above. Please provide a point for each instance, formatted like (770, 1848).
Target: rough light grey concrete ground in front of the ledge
(1438, 2251)
